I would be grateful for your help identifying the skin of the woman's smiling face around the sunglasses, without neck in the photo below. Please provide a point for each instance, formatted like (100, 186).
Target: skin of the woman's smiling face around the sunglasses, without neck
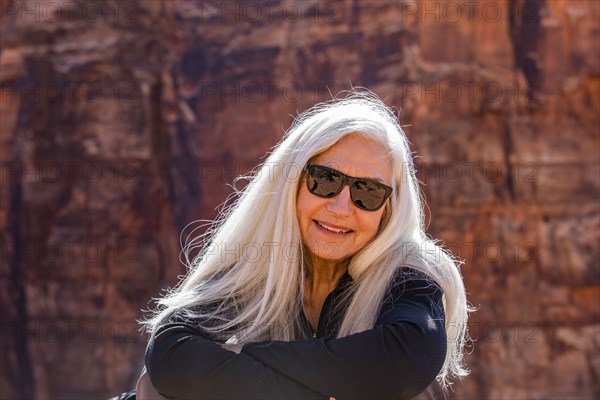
(333, 229)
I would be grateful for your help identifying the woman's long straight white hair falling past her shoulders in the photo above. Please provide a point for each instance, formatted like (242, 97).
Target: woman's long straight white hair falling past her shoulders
(247, 280)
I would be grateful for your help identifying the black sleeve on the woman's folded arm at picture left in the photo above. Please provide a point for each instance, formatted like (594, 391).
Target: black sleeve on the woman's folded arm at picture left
(183, 363)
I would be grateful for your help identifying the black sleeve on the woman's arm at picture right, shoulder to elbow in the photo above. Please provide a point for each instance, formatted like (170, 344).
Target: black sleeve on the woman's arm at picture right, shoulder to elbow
(397, 359)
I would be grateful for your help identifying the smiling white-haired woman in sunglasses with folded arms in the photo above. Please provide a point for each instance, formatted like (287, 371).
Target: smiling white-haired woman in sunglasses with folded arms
(319, 281)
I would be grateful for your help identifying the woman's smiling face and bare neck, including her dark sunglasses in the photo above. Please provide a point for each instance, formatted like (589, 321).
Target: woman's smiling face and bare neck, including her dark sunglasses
(332, 226)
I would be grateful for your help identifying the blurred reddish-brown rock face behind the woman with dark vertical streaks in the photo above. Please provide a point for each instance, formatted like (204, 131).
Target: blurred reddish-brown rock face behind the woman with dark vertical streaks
(121, 122)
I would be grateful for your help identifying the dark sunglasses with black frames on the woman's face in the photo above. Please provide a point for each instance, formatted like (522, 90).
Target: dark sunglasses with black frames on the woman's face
(366, 194)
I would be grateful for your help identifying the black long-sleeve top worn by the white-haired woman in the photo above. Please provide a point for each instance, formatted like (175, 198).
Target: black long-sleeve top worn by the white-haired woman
(396, 359)
